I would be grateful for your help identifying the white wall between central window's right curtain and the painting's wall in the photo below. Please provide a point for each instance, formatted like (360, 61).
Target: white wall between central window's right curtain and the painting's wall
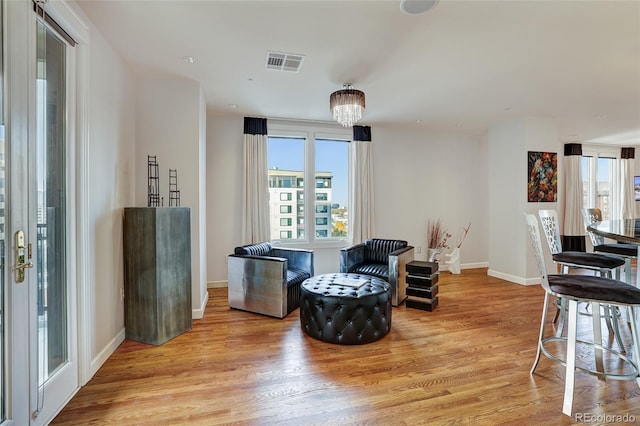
(421, 175)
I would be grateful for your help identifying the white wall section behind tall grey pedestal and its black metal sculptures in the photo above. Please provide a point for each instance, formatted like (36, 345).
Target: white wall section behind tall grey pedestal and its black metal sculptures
(169, 114)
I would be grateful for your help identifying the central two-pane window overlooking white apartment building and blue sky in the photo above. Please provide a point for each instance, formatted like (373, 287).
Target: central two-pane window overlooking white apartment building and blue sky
(296, 154)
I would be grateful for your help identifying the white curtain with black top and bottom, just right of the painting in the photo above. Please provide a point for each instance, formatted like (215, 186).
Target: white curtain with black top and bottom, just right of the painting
(573, 238)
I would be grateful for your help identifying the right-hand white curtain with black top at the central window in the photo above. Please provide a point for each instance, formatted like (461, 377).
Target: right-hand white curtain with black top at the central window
(361, 217)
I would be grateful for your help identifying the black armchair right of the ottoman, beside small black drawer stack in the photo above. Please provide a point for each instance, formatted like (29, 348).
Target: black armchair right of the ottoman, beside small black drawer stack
(386, 259)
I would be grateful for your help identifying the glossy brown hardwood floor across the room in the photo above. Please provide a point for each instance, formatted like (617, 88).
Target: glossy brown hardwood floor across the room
(466, 362)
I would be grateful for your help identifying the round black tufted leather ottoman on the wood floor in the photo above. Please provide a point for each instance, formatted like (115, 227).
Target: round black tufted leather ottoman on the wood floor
(333, 311)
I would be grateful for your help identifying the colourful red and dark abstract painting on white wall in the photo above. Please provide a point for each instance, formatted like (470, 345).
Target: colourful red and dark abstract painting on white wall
(543, 177)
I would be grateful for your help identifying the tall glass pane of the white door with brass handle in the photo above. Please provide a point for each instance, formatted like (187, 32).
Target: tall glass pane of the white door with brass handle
(50, 193)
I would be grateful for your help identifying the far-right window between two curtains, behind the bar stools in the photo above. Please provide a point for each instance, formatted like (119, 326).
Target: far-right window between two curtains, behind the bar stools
(601, 181)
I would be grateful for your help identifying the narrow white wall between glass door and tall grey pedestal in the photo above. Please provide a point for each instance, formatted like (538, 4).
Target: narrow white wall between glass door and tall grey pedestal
(111, 115)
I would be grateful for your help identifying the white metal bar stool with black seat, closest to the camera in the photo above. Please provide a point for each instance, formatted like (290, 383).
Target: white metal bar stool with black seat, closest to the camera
(576, 288)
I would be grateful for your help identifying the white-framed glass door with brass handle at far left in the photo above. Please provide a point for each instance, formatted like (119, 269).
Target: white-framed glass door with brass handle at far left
(41, 337)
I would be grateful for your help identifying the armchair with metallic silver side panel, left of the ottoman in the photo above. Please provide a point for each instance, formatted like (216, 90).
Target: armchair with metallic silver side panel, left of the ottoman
(266, 280)
